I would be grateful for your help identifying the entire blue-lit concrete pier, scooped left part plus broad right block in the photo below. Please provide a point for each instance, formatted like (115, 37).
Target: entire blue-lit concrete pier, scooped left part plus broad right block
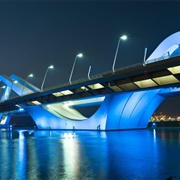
(128, 110)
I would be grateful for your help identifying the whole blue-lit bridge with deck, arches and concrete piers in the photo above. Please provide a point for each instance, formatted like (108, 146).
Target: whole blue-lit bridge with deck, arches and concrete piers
(127, 97)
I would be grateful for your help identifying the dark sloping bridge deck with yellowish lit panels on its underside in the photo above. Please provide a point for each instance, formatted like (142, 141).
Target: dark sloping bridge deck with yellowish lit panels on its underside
(161, 73)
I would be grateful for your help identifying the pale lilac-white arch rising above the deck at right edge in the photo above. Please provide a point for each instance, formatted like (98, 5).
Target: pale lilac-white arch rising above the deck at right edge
(166, 48)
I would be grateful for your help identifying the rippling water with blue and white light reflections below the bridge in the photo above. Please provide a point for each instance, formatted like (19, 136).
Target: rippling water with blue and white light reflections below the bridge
(90, 155)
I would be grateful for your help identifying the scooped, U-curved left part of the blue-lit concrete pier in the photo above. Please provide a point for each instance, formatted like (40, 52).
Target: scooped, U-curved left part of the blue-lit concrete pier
(46, 120)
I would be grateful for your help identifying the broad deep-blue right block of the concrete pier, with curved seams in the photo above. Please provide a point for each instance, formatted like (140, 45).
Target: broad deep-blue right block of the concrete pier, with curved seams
(132, 109)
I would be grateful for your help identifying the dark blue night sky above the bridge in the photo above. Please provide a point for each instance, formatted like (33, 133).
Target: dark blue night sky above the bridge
(36, 34)
